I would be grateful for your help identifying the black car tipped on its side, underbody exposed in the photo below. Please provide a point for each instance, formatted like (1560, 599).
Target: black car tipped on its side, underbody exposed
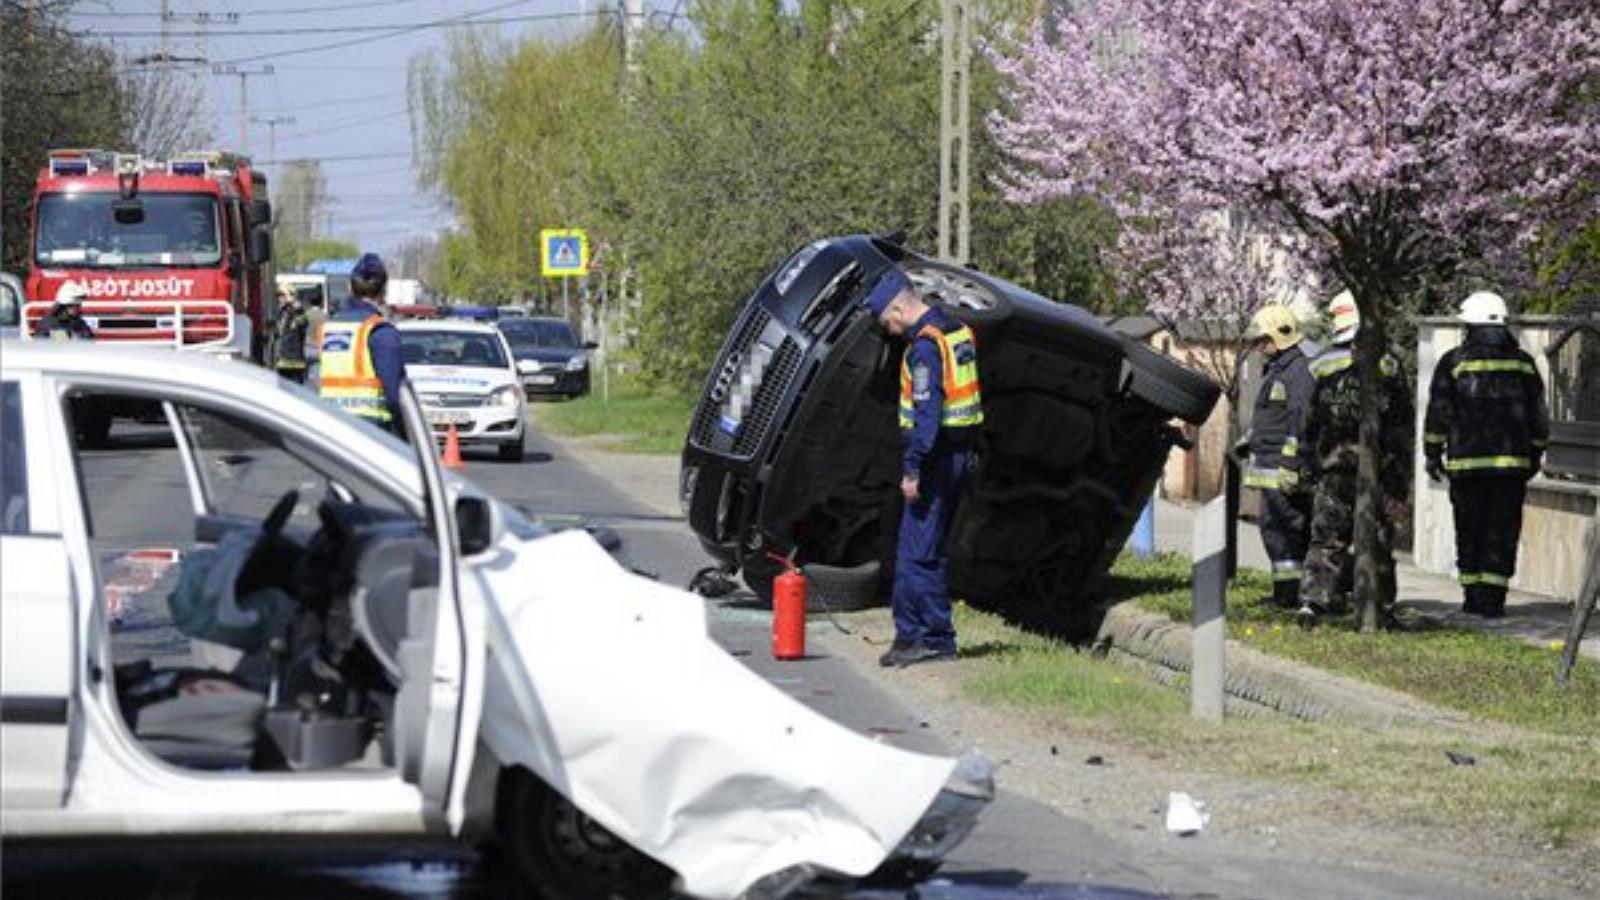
(794, 448)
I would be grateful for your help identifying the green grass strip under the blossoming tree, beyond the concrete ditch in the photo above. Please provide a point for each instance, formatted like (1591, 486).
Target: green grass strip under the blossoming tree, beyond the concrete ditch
(1479, 673)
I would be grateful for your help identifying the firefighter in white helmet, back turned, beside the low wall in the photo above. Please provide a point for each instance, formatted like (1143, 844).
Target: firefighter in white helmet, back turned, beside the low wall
(1486, 432)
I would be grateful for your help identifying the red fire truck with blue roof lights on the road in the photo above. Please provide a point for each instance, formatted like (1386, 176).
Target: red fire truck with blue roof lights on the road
(174, 252)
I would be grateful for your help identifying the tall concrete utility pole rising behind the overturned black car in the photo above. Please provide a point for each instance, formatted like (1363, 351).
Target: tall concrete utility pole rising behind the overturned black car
(954, 129)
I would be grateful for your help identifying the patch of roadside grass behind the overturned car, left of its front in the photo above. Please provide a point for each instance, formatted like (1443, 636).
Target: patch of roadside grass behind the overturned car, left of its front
(642, 420)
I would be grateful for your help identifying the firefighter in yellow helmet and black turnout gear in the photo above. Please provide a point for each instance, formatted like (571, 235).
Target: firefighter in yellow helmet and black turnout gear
(1286, 392)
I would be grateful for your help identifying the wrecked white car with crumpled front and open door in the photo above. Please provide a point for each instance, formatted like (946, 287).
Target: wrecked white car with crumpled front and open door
(375, 649)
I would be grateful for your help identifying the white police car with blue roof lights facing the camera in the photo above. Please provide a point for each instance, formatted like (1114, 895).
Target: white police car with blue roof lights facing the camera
(466, 377)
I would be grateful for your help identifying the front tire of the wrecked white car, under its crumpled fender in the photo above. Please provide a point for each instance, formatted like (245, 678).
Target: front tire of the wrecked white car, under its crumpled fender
(562, 854)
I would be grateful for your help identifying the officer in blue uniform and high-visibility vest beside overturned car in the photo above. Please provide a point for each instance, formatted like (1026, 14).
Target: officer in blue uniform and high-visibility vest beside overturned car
(940, 416)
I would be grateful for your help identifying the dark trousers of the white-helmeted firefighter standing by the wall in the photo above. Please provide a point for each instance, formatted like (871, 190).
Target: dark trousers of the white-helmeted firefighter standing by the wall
(1489, 526)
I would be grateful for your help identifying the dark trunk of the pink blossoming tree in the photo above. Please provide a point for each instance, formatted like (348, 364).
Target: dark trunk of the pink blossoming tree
(1370, 496)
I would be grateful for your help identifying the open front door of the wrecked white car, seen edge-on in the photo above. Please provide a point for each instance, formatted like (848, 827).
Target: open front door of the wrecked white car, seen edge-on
(436, 709)
